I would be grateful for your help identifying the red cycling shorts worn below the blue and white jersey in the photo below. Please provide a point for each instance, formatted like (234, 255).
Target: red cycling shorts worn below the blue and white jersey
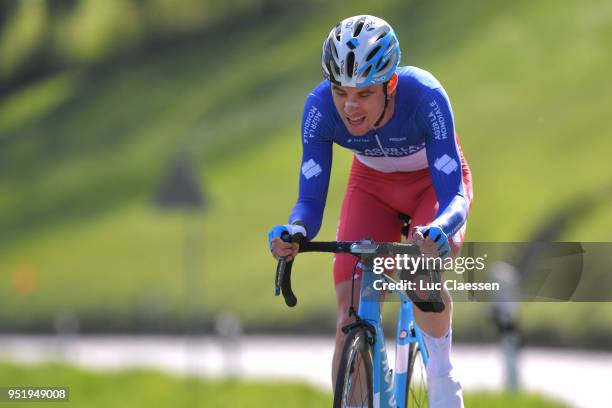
(373, 201)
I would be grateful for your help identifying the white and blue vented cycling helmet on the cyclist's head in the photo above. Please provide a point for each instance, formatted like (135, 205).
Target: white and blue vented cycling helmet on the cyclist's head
(360, 51)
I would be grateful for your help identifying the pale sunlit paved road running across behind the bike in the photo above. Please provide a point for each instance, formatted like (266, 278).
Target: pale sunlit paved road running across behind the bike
(581, 378)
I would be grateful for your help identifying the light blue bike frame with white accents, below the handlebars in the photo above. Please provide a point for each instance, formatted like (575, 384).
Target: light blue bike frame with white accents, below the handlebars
(389, 392)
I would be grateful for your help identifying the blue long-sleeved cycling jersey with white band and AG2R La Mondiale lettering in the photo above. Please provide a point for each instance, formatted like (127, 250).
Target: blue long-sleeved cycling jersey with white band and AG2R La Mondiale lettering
(420, 134)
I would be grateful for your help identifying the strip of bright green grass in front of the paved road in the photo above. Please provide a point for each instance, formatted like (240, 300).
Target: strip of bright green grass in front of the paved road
(136, 389)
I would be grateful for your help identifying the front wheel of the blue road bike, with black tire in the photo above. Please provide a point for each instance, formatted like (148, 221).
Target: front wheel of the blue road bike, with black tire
(356, 349)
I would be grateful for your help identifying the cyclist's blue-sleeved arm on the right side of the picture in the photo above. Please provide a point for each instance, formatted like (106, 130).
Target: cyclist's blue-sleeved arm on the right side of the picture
(435, 119)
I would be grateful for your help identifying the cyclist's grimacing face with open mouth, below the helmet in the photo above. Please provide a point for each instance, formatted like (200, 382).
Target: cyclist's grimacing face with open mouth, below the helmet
(359, 108)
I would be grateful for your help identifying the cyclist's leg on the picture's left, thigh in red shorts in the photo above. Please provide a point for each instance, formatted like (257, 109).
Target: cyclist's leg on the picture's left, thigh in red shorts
(363, 215)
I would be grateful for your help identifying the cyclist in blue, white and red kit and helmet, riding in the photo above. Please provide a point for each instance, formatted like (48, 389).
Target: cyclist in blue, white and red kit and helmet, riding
(399, 123)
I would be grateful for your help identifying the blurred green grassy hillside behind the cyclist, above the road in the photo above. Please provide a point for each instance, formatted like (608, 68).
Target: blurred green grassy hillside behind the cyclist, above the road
(99, 98)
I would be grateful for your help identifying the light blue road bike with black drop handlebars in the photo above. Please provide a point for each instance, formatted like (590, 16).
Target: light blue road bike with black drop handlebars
(365, 378)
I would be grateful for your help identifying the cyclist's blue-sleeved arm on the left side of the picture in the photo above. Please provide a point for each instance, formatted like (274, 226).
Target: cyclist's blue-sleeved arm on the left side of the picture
(317, 128)
